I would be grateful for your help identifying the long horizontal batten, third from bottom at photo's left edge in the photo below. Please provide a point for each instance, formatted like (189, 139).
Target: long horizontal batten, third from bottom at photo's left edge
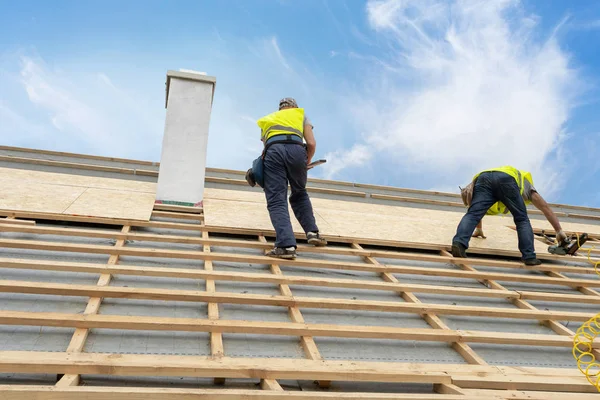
(89, 321)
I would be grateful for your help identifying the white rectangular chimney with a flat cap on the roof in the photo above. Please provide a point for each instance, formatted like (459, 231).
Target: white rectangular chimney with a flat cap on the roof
(189, 100)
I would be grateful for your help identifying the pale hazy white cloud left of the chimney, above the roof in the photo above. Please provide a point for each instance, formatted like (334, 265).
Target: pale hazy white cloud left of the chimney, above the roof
(85, 112)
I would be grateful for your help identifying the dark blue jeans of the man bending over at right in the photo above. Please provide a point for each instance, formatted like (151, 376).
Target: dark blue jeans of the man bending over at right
(491, 187)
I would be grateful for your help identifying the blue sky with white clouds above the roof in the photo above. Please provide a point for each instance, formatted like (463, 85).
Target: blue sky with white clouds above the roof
(418, 94)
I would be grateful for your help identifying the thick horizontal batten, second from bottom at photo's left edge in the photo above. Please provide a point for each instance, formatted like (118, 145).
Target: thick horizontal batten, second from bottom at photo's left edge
(197, 366)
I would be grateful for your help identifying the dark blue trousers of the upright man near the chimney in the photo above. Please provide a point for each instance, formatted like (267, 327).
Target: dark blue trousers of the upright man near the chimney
(286, 162)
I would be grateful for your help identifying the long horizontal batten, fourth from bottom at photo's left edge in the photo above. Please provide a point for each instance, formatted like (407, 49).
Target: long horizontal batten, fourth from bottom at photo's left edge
(59, 289)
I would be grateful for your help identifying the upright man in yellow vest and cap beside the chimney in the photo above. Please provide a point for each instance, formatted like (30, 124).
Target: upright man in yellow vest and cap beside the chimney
(285, 160)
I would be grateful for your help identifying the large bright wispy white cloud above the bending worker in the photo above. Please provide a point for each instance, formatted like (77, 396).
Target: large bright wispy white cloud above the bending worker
(465, 86)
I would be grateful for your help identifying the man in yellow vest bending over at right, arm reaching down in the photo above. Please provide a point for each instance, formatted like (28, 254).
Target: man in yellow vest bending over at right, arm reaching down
(498, 191)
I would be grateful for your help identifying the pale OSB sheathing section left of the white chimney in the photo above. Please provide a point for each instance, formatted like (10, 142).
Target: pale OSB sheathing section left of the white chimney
(49, 192)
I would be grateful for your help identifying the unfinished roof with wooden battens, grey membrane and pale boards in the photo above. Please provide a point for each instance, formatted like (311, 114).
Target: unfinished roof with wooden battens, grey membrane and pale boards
(186, 299)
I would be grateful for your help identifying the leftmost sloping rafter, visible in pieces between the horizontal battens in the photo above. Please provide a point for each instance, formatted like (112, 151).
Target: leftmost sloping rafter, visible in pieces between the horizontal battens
(93, 307)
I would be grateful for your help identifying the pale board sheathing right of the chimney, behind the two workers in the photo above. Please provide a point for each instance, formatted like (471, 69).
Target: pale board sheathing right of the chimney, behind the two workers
(225, 208)
